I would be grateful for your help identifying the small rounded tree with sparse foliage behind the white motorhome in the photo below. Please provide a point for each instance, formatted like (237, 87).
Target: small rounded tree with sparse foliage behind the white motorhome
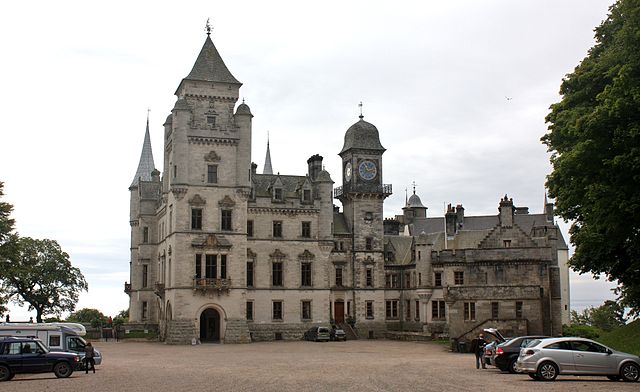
(41, 275)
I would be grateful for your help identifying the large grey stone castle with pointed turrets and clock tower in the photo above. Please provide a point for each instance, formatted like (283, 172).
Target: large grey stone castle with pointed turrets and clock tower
(222, 253)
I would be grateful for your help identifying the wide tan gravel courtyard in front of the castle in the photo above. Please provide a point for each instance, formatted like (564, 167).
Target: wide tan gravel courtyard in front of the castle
(371, 365)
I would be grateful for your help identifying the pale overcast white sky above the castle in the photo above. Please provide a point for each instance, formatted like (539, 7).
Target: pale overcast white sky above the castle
(458, 90)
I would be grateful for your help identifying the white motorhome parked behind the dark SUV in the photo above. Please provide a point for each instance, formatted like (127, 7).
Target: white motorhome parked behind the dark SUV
(56, 336)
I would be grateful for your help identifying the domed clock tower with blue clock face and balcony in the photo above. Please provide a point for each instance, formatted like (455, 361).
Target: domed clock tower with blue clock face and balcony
(362, 196)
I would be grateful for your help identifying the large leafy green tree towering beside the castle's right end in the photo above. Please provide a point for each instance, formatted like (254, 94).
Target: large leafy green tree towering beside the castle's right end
(594, 141)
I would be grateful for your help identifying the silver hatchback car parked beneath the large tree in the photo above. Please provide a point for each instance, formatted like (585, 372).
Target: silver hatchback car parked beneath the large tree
(544, 359)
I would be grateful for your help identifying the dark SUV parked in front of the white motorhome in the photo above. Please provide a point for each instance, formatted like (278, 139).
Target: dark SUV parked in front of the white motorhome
(28, 355)
